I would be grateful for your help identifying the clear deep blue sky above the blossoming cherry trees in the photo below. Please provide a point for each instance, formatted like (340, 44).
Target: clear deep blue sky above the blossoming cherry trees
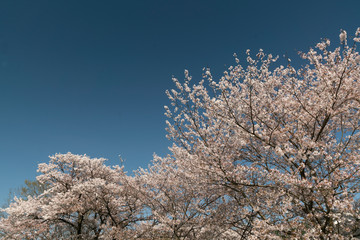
(89, 77)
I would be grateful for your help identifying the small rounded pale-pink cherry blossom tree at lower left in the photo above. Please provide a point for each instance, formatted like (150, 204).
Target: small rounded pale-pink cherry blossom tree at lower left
(84, 200)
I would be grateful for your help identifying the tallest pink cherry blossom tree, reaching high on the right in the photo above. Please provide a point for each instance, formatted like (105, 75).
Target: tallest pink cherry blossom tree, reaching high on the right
(282, 143)
